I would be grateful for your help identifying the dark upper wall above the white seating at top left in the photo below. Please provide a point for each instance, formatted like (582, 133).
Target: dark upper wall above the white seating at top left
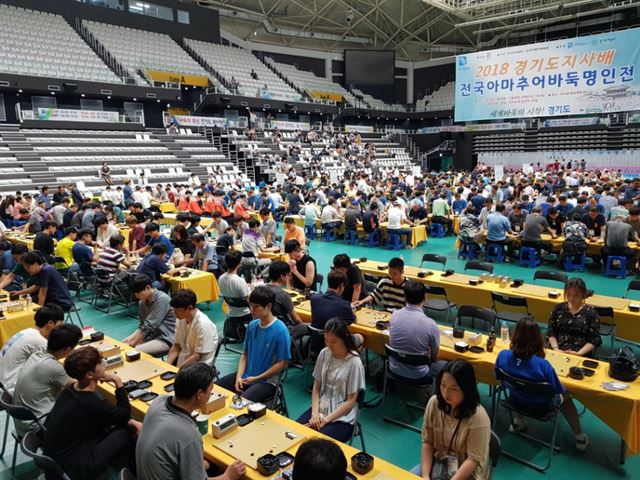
(205, 22)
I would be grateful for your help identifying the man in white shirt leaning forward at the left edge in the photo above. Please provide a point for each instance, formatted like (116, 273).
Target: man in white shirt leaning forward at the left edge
(26, 342)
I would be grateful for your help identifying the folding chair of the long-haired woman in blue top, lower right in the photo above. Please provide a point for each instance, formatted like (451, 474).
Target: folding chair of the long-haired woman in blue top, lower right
(550, 414)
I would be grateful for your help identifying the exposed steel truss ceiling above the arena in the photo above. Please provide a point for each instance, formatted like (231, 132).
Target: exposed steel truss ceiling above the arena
(417, 29)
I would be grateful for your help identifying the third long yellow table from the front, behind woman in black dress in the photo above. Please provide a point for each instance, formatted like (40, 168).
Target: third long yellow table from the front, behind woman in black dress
(540, 305)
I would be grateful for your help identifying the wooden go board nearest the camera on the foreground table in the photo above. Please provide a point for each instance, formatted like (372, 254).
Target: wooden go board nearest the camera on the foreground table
(256, 439)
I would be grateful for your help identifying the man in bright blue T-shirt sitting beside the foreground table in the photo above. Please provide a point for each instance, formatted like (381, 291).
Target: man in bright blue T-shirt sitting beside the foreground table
(266, 351)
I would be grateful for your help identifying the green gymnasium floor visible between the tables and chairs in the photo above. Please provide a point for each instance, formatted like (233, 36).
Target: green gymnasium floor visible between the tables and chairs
(398, 445)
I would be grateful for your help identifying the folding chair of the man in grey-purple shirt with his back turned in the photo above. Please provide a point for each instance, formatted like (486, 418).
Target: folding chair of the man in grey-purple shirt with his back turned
(408, 359)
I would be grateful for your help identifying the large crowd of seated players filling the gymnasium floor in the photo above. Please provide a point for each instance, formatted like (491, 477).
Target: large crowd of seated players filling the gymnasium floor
(574, 204)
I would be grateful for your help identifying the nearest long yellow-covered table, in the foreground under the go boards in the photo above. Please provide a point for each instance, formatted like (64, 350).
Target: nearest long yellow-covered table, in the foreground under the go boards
(222, 459)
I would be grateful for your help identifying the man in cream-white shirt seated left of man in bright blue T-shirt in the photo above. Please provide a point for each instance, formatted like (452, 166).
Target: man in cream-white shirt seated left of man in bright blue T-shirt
(196, 335)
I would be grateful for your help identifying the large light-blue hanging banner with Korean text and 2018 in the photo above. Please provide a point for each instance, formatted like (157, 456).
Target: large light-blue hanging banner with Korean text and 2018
(576, 76)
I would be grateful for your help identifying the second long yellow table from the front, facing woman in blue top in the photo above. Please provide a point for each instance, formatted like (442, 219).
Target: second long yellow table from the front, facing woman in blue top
(619, 410)
